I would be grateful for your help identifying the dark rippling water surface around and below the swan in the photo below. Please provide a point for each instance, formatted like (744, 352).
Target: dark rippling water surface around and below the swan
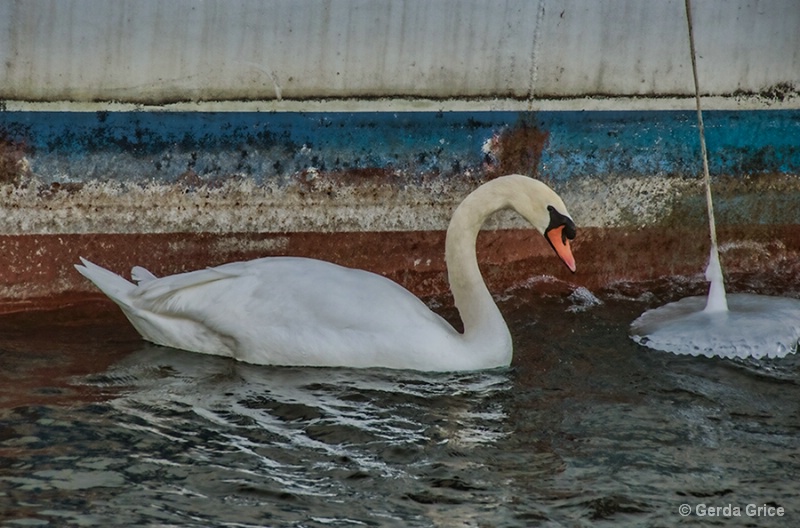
(586, 429)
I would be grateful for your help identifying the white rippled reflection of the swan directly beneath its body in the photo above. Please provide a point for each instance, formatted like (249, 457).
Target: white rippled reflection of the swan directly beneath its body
(309, 436)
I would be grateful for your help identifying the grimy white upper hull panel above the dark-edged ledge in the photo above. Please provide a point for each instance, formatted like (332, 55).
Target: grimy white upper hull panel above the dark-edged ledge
(157, 52)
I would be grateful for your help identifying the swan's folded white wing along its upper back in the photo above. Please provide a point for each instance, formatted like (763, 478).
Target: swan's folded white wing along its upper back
(285, 290)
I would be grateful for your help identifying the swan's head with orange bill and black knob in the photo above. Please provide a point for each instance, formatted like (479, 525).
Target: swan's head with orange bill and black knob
(545, 210)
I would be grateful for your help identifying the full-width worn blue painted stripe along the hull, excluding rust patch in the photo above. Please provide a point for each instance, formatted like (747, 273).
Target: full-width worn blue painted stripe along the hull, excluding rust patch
(159, 146)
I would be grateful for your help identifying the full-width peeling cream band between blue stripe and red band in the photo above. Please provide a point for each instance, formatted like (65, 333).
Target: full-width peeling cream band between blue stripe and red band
(338, 205)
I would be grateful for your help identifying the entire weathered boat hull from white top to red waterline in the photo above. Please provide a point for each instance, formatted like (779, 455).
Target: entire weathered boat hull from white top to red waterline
(180, 135)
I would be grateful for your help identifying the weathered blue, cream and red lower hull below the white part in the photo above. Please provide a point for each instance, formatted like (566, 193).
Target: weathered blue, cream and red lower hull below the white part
(175, 191)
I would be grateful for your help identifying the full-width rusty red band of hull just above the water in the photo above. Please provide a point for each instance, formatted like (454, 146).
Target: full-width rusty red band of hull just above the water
(39, 272)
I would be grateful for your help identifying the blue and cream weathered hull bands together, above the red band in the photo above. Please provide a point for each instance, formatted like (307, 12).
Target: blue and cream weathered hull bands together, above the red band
(69, 172)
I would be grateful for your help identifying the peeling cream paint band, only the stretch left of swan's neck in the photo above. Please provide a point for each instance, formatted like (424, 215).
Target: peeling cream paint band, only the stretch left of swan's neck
(237, 206)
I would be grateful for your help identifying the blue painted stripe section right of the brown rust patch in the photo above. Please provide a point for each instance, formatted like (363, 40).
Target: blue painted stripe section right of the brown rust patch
(666, 142)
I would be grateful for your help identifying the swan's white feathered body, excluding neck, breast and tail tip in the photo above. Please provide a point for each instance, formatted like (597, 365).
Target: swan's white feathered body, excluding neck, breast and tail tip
(293, 311)
